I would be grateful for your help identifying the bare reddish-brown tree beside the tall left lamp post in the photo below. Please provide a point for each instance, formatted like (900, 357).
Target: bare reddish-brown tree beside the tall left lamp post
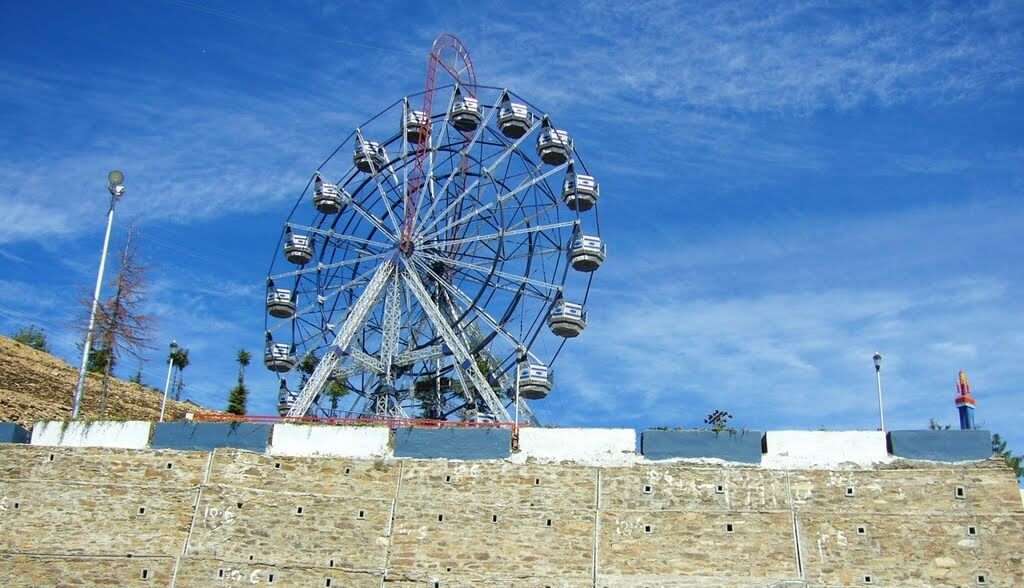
(122, 328)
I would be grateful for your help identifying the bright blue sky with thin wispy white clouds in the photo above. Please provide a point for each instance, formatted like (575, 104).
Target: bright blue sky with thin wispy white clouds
(786, 189)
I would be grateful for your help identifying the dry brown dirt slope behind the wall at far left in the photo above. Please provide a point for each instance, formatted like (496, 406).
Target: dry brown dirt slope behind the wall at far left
(37, 387)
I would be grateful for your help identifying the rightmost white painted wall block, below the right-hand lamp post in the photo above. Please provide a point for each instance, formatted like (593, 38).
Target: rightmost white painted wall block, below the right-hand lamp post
(809, 450)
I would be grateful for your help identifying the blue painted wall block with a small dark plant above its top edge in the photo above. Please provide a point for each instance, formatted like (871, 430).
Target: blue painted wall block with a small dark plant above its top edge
(740, 446)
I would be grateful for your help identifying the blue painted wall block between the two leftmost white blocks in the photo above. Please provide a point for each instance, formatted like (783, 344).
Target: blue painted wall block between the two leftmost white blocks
(206, 437)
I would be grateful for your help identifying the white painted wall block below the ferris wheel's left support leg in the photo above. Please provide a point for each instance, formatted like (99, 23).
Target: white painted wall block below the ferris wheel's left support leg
(327, 441)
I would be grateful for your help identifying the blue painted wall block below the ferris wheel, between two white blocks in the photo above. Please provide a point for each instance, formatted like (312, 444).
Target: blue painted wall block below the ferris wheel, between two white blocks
(453, 443)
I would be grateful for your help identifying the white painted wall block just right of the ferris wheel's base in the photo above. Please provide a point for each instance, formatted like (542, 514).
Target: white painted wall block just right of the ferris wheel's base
(595, 447)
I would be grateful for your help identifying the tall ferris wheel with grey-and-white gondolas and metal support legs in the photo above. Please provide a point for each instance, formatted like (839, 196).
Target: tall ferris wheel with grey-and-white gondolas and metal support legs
(438, 262)
